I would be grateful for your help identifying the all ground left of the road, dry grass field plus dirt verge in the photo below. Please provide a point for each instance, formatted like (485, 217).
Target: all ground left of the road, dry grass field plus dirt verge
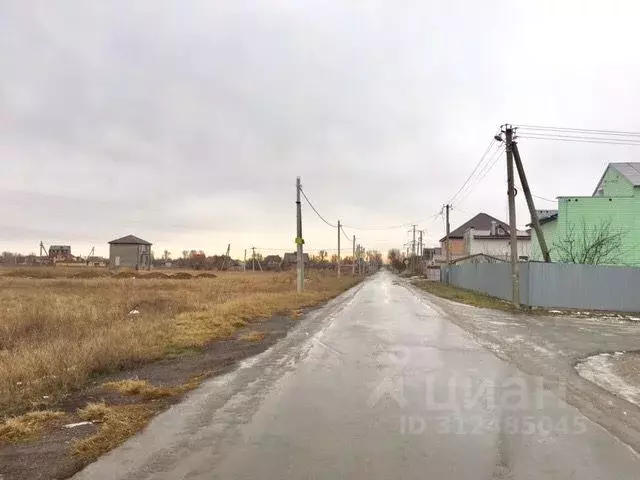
(86, 363)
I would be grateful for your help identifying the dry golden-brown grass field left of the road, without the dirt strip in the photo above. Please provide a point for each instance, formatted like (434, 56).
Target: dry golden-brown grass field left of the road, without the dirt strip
(57, 332)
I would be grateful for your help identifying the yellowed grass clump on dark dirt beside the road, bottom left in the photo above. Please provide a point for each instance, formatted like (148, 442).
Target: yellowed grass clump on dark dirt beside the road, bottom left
(116, 424)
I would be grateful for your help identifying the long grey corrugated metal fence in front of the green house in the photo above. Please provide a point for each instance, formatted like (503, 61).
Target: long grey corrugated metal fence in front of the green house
(554, 285)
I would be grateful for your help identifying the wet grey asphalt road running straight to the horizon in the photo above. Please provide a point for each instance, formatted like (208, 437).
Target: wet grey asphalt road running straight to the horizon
(376, 385)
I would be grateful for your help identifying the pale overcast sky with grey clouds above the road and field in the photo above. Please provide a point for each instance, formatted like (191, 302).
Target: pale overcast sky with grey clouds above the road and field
(187, 122)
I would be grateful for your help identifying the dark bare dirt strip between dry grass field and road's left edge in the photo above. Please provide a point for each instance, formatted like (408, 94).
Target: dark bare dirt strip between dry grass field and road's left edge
(51, 456)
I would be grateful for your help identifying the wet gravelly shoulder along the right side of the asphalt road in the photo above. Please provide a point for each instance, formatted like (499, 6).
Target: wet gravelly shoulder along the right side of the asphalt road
(550, 346)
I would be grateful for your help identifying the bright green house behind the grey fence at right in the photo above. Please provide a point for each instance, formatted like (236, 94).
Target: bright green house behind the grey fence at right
(610, 217)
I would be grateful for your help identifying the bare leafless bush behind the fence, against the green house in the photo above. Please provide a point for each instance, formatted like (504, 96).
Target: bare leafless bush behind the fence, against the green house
(591, 244)
